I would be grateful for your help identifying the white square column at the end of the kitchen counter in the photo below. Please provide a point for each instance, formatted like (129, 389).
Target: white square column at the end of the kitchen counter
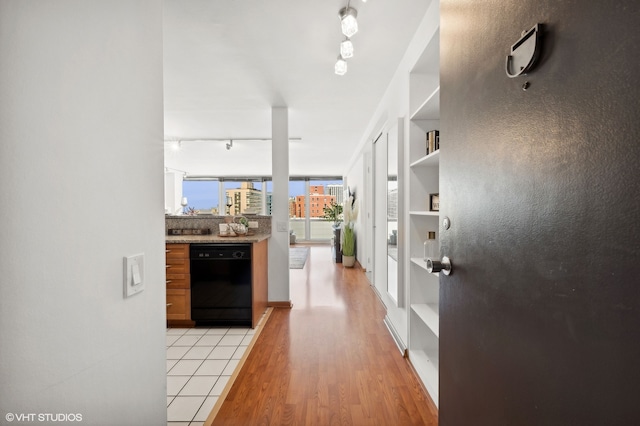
(279, 242)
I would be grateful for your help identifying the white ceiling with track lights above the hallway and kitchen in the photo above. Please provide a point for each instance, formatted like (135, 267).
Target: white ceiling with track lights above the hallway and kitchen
(227, 62)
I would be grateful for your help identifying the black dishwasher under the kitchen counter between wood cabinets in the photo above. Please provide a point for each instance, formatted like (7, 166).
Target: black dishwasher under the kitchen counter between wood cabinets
(221, 284)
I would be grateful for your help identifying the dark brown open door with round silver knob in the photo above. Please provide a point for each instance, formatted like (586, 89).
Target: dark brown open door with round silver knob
(540, 320)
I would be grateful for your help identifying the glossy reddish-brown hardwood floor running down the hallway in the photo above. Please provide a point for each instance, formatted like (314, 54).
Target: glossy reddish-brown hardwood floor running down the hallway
(327, 361)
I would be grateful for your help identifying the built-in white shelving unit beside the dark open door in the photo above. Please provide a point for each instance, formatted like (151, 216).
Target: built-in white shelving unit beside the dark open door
(423, 180)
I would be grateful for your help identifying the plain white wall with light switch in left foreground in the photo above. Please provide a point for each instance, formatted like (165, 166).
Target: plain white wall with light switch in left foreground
(80, 138)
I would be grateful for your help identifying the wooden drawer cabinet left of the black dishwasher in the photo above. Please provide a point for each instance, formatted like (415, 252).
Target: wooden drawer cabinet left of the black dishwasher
(178, 284)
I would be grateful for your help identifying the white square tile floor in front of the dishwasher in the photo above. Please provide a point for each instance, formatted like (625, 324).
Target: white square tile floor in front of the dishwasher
(200, 362)
